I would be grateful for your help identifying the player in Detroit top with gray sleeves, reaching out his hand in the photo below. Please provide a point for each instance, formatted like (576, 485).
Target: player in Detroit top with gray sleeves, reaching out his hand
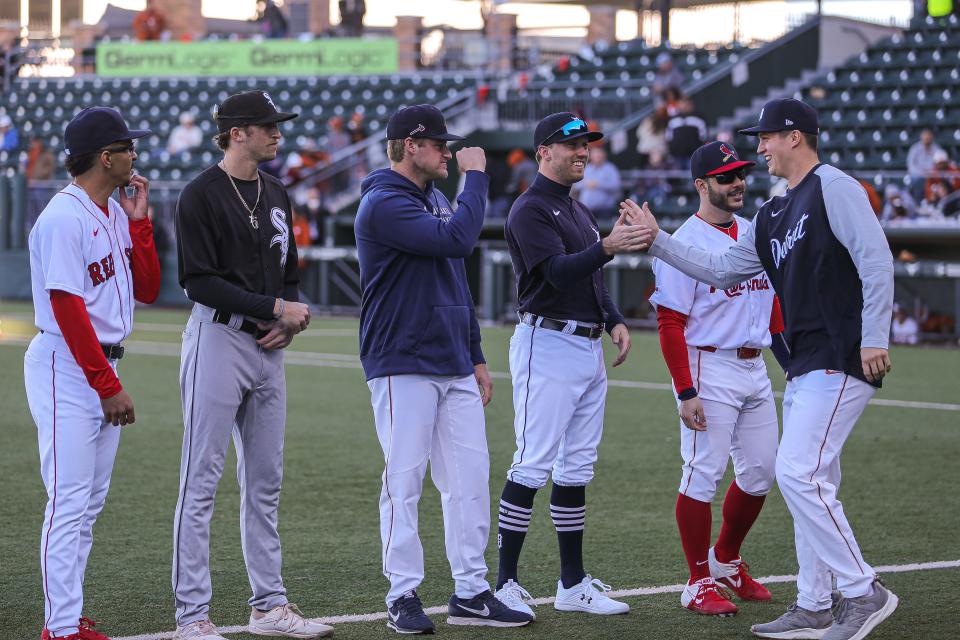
(828, 260)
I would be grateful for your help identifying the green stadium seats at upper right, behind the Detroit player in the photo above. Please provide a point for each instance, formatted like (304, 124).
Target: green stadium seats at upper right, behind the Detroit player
(872, 109)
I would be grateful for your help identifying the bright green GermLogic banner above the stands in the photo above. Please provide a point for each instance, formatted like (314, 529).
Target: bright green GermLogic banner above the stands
(334, 56)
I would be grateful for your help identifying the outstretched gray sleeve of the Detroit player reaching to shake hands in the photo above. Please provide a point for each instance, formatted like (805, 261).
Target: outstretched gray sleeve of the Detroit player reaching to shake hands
(721, 270)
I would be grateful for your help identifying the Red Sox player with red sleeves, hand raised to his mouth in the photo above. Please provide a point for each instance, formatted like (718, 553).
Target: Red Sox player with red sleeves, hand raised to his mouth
(90, 257)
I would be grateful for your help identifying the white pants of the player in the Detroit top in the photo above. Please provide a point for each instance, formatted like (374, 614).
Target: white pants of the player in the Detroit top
(820, 409)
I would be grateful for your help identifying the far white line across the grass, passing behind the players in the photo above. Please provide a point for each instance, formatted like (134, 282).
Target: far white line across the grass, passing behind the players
(352, 361)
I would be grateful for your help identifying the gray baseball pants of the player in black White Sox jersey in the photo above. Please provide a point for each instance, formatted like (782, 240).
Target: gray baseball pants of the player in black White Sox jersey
(228, 385)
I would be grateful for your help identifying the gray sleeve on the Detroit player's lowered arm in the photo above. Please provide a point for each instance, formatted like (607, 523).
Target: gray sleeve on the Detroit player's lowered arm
(856, 227)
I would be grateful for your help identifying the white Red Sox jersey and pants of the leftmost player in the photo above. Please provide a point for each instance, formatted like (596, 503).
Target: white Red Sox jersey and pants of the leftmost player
(76, 248)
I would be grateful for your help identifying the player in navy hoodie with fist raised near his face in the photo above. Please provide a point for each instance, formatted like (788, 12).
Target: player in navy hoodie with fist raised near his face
(420, 350)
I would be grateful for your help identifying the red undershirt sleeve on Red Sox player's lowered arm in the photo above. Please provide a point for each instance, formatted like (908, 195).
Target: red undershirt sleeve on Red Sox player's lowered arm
(71, 314)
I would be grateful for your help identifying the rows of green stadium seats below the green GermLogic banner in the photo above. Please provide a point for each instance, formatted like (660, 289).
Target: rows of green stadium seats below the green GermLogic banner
(43, 107)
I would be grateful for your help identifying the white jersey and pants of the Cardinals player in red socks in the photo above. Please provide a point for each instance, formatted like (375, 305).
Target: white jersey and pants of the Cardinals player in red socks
(735, 392)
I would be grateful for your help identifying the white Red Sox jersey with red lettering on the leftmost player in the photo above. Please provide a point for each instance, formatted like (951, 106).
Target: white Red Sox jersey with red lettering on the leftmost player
(93, 263)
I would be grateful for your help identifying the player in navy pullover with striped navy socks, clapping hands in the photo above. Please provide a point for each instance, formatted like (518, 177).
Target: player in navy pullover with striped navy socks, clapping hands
(556, 361)
